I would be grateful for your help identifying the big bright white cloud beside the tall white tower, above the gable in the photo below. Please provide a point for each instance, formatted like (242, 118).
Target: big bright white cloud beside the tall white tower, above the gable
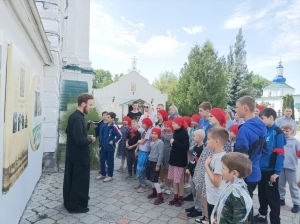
(108, 36)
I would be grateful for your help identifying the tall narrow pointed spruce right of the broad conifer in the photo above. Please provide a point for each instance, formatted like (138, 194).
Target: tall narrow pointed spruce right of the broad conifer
(240, 78)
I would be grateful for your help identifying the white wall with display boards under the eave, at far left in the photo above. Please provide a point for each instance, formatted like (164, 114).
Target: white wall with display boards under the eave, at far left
(22, 39)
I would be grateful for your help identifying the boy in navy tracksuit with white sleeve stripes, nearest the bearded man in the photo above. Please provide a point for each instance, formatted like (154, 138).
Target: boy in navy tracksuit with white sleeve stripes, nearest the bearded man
(110, 135)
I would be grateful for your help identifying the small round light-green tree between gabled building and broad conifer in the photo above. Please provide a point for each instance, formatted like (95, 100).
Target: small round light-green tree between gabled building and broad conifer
(166, 82)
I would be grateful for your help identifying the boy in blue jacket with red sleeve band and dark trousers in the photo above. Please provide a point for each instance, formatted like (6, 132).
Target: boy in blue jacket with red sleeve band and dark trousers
(271, 164)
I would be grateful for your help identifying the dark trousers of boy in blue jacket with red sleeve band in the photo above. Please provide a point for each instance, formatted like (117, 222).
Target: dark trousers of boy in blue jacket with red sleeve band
(269, 196)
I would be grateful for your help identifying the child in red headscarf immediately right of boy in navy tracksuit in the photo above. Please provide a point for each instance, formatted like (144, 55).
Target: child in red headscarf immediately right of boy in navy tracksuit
(122, 152)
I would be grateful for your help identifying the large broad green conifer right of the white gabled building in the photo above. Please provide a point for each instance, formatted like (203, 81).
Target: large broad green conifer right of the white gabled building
(203, 78)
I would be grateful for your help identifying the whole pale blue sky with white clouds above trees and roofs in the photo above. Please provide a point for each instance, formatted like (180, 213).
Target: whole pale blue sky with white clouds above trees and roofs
(160, 34)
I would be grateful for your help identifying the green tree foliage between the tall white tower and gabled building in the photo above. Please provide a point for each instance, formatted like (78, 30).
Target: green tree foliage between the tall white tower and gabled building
(104, 78)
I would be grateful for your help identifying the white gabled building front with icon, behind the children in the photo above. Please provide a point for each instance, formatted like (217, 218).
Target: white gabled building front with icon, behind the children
(118, 97)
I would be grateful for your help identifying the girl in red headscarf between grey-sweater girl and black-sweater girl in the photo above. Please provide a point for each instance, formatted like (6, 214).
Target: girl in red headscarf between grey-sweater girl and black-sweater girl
(166, 136)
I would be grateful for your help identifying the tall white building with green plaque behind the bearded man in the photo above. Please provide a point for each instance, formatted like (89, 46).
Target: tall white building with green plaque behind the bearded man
(66, 25)
